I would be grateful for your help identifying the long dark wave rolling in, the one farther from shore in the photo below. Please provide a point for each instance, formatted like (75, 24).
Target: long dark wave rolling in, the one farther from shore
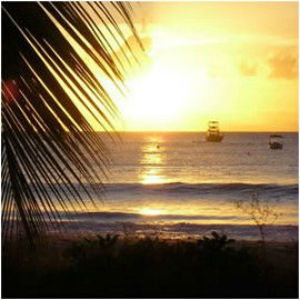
(194, 189)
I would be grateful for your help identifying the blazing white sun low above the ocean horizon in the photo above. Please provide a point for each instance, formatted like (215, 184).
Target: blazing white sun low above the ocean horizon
(156, 96)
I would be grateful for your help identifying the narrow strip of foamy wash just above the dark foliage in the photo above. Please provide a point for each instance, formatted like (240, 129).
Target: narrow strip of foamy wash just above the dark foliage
(182, 230)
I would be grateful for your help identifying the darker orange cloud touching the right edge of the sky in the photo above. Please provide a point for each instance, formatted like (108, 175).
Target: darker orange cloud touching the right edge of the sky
(283, 65)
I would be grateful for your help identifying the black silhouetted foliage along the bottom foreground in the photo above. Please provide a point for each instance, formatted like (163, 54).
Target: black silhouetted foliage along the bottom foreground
(110, 267)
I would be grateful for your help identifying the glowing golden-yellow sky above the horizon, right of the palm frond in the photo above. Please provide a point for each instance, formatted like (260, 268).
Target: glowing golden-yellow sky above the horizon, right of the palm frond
(232, 62)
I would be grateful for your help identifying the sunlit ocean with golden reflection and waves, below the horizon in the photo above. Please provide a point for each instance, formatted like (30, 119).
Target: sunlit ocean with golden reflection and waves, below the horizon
(178, 185)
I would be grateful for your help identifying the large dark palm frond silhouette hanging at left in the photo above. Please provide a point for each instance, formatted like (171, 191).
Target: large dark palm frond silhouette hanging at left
(51, 53)
